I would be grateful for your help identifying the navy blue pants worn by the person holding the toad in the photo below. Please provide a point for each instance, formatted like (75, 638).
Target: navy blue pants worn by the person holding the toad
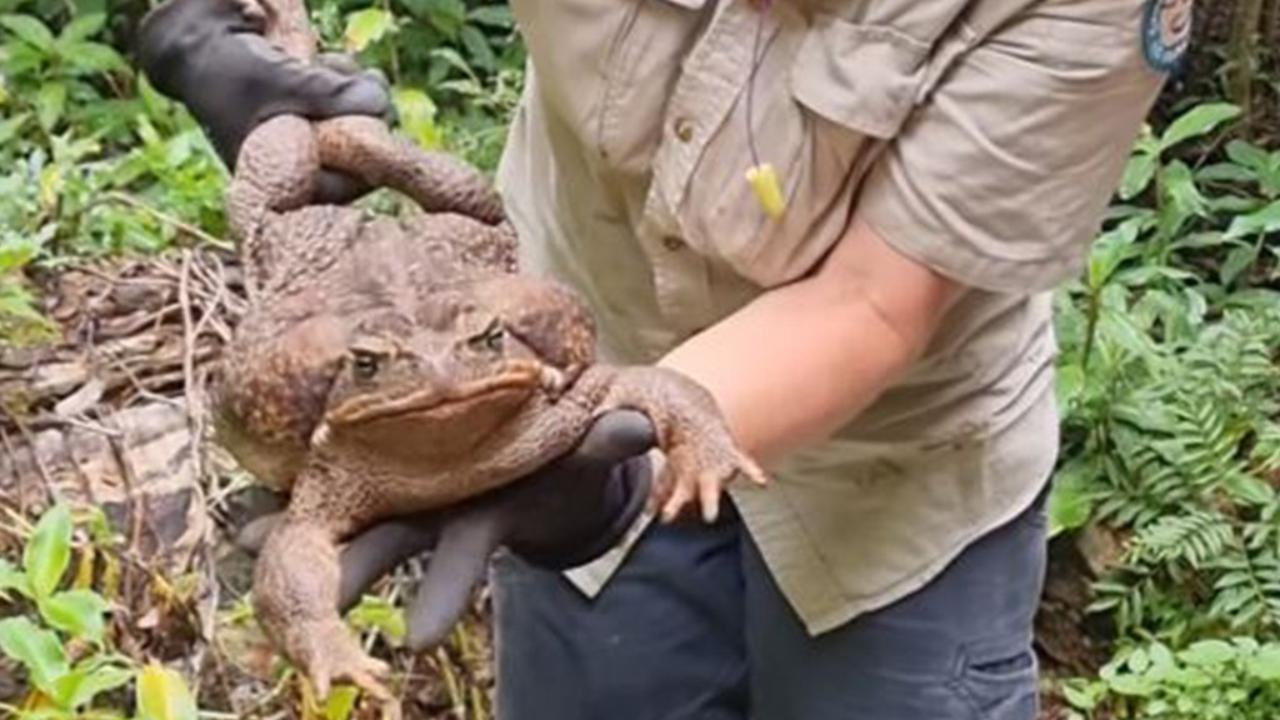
(693, 627)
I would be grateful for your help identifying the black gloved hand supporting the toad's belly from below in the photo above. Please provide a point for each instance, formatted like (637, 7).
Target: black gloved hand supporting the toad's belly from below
(568, 514)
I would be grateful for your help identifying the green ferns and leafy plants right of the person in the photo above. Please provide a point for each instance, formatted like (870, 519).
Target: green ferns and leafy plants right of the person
(1171, 389)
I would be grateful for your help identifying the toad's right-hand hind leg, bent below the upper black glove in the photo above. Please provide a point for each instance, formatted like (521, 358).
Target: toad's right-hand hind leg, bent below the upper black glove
(440, 184)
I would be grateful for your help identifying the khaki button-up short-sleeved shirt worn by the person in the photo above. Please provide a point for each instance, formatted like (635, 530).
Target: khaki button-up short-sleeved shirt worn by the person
(981, 138)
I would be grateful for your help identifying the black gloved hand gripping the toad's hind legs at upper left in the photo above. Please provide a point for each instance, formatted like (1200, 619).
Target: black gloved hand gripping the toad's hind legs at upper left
(211, 56)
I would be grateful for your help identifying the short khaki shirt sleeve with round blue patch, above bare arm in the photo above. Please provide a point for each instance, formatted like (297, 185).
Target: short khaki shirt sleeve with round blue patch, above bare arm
(1000, 177)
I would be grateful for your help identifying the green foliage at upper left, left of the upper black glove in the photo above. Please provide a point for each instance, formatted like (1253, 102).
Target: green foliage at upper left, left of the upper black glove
(92, 162)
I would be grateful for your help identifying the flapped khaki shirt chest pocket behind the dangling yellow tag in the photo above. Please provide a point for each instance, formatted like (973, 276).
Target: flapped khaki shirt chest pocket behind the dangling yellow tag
(825, 99)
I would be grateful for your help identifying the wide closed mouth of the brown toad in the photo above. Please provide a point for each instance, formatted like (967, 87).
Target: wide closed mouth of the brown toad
(515, 385)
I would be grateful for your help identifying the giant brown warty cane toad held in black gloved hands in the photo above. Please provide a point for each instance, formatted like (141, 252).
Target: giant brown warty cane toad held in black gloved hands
(396, 366)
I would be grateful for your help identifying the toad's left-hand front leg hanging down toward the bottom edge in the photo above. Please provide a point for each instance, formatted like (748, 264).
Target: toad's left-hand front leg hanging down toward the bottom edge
(296, 594)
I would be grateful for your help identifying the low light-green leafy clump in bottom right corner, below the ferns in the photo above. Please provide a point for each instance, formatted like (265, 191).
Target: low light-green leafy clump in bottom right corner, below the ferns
(1237, 680)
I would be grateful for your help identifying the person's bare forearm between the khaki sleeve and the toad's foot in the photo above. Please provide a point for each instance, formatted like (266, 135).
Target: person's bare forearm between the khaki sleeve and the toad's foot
(802, 361)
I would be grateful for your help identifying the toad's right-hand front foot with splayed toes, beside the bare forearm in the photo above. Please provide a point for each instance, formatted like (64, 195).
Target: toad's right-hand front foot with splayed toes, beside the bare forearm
(702, 454)
